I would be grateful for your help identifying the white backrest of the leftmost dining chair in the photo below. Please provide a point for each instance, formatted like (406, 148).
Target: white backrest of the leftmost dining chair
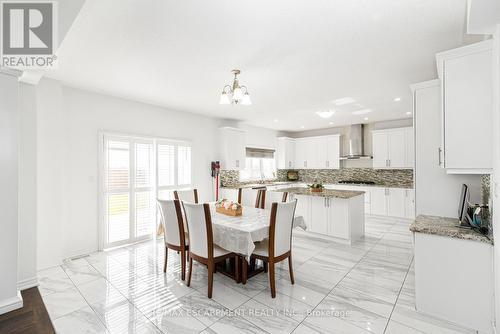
(171, 219)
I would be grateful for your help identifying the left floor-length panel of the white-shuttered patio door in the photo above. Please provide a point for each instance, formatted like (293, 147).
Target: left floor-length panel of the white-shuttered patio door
(129, 209)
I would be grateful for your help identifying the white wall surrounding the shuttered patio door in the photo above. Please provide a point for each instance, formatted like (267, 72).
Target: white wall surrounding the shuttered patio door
(68, 159)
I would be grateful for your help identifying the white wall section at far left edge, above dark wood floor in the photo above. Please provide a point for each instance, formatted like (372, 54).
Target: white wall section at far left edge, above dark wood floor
(9, 133)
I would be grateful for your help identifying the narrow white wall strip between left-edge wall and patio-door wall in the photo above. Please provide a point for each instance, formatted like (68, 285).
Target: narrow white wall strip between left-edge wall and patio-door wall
(27, 187)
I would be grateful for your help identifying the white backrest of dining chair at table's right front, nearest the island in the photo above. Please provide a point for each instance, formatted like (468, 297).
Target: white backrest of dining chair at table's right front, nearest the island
(280, 228)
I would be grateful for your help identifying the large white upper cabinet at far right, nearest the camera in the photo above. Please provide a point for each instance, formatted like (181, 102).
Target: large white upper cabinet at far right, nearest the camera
(465, 73)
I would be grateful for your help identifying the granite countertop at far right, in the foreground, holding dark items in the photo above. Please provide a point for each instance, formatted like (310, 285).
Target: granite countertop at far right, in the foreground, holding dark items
(447, 227)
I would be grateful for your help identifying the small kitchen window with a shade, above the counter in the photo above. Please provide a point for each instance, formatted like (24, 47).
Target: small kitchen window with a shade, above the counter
(259, 165)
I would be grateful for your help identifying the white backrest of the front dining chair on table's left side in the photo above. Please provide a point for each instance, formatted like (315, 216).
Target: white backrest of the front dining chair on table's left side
(199, 224)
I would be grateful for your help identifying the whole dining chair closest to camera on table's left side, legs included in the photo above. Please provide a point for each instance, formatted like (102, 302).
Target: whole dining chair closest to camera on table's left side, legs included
(201, 245)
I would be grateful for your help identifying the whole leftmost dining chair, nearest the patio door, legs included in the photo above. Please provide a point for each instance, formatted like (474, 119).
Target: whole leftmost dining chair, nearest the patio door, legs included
(174, 235)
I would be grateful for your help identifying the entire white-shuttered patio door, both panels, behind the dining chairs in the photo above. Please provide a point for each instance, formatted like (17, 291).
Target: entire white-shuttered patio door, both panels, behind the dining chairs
(136, 172)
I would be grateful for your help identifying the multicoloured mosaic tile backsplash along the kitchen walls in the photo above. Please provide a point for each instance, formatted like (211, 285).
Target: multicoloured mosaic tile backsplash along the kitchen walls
(386, 177)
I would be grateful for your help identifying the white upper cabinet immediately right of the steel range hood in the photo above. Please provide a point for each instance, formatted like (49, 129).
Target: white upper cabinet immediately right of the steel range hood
(393, 148)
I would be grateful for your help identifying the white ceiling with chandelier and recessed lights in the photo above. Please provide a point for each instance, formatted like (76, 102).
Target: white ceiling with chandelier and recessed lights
(296, 56)
